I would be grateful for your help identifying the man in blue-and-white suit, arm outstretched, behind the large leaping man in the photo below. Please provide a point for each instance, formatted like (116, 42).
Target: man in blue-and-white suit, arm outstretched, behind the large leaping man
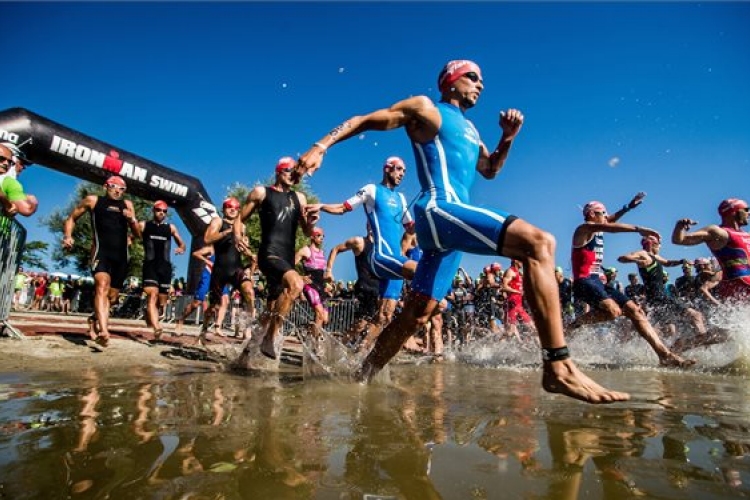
(388, 216)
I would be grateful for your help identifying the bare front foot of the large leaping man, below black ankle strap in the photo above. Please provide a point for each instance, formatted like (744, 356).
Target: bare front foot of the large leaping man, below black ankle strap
(564, 377)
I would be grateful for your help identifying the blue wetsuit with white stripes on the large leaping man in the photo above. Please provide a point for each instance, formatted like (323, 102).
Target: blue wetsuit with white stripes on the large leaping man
(446, 223)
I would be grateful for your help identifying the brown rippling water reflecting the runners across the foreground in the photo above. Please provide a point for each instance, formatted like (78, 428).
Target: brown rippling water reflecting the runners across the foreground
(438, 431)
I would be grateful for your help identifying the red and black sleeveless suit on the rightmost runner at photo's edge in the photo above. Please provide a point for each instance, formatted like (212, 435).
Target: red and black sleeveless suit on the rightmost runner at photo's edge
(734, 259)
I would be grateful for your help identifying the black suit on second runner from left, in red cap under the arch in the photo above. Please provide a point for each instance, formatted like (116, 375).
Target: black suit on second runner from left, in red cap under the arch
(157, 245)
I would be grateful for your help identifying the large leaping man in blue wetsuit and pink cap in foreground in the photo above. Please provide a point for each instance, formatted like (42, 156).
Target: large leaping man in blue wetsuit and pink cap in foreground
(448, 154)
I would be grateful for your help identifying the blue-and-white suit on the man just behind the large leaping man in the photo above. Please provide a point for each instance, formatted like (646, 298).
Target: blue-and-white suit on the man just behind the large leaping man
(387, 213)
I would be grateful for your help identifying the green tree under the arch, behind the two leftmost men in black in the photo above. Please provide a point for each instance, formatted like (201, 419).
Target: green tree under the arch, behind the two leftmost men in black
(80, 256)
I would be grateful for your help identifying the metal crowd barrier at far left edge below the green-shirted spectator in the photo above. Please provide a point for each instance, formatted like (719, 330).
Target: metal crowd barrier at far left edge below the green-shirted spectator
(12, 240)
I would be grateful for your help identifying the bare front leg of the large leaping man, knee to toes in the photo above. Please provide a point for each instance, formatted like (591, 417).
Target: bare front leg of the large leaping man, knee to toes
(536, 249)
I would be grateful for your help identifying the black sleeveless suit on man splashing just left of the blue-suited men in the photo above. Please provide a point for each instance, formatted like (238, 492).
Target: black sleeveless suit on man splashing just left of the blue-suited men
(280, 214)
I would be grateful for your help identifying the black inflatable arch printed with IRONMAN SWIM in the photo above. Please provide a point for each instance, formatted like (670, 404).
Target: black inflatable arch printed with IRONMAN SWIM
(55, 146)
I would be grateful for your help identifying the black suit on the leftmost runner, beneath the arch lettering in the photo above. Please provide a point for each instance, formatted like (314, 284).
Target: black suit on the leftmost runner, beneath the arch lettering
(110, 240)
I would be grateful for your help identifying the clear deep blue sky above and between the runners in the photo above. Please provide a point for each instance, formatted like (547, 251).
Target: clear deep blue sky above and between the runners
(618, 98)
